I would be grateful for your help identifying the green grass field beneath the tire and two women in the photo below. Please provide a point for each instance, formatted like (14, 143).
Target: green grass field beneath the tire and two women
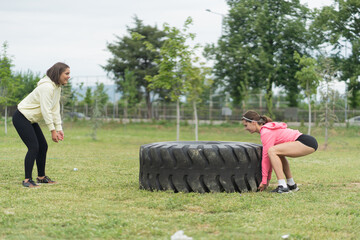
(102, 199)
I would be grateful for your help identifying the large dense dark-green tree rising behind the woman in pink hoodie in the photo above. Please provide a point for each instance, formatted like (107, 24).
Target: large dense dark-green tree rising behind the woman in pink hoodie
(257, 48)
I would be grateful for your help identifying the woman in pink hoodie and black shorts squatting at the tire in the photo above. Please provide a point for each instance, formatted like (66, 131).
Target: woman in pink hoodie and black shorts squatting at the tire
(278, 142)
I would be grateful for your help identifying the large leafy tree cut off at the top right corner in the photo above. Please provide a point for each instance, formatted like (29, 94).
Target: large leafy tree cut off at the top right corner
(339, 26)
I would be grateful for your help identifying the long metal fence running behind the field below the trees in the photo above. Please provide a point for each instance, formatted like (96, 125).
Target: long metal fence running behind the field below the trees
(168, 112)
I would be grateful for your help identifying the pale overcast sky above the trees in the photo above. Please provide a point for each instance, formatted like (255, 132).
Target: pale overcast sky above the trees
(40, 33)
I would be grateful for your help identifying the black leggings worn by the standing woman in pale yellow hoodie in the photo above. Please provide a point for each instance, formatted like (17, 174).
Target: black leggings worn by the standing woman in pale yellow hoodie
(35, 141)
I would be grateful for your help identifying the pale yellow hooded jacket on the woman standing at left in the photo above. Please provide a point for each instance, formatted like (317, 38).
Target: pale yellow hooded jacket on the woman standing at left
(43, 103)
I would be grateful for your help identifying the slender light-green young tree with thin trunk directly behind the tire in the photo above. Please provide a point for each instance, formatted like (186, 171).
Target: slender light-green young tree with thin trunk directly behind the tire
(175, 65)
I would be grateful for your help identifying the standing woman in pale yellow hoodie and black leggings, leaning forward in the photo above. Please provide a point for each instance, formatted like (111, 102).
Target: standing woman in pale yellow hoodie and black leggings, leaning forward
(43, 103)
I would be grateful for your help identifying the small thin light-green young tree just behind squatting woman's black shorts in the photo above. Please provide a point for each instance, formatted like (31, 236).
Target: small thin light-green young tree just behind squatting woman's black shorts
(308, 77)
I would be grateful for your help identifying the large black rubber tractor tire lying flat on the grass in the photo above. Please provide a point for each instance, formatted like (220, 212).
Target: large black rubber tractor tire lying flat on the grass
(200, 166)
